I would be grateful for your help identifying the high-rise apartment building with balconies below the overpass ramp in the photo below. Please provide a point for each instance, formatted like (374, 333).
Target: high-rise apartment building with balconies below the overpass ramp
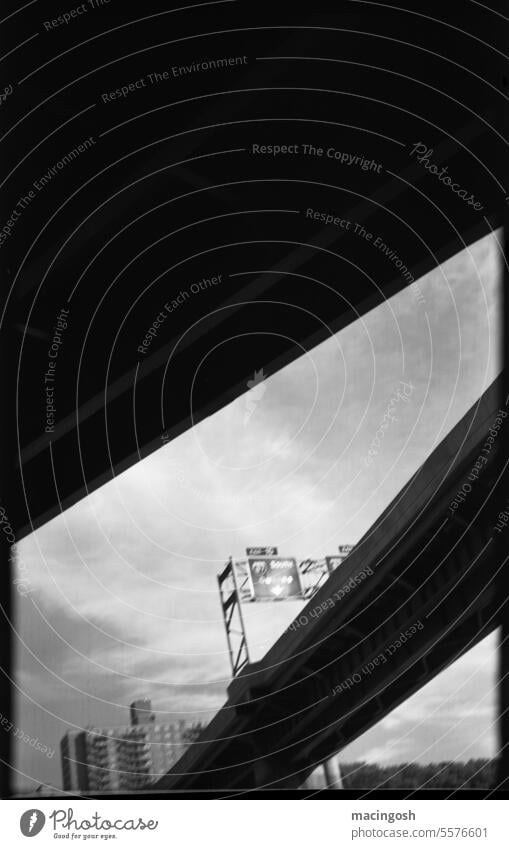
(128, 757)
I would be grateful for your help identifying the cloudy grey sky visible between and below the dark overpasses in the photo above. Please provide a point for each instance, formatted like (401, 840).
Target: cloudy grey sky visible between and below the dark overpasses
(122, 597)
